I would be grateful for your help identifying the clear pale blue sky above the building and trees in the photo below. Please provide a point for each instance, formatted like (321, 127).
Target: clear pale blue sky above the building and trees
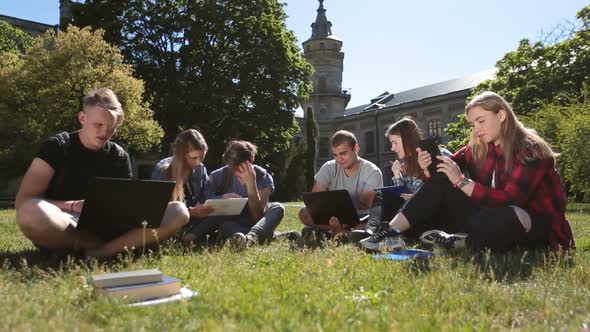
(392, 45)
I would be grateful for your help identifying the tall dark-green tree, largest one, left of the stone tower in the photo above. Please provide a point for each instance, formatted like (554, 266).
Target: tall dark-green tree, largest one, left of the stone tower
(227, 67)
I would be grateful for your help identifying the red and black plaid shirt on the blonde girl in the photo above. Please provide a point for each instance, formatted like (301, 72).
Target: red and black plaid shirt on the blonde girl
(533, 186)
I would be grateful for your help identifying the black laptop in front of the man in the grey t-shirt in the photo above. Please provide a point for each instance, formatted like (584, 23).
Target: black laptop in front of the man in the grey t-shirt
(325, 204)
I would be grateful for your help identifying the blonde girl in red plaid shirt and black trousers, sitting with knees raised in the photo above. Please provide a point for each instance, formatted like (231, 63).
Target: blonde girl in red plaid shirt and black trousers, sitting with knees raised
(501, 191)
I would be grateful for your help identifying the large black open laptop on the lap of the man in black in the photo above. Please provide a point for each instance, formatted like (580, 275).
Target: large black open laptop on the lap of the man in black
(115, 206)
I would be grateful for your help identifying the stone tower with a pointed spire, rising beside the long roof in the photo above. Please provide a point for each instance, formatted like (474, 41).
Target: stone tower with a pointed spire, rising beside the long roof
(323, 51)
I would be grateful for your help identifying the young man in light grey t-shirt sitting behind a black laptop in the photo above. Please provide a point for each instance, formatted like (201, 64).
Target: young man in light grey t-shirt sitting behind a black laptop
(349, 172)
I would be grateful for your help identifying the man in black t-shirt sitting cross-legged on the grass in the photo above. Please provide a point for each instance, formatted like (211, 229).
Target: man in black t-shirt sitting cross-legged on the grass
(52, 192)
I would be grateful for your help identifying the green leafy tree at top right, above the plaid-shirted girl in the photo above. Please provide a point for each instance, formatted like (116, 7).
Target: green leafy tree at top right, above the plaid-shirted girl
(537, 74)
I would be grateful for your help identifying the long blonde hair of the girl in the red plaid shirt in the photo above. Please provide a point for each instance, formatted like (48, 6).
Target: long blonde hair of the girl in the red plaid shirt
(517, 140)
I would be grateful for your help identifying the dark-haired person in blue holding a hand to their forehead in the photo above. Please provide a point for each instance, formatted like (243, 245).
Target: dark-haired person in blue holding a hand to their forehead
(240, 178)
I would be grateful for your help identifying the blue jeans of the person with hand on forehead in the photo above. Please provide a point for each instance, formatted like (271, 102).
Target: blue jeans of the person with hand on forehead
(230, 225)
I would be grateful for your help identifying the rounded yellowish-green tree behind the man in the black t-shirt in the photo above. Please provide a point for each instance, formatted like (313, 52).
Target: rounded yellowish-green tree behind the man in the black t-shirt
(42, 92)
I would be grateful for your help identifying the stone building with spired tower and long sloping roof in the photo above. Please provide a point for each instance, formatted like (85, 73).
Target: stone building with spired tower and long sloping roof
(432, 106)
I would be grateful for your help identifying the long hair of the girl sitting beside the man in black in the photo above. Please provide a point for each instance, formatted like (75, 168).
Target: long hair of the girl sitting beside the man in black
(179, 170)
